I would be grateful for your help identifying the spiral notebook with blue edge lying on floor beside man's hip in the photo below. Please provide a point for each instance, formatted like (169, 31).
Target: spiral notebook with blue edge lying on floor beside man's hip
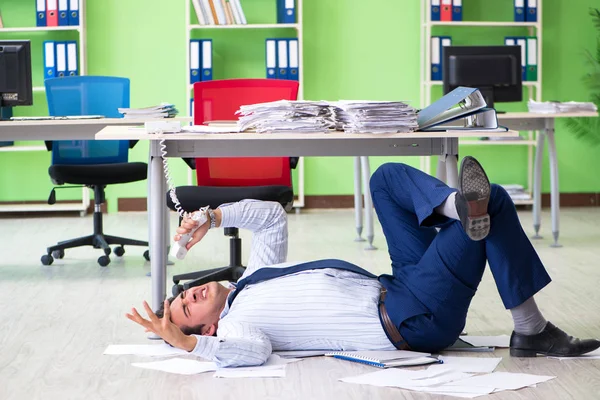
(386, 359)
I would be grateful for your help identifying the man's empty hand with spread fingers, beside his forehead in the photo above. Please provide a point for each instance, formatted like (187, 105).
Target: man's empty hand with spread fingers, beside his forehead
(163, 327)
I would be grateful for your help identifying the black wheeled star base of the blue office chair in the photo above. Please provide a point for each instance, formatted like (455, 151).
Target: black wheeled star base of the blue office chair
(97, 241)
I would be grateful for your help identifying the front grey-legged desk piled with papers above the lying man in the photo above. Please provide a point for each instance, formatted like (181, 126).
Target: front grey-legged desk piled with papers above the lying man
(258, 145)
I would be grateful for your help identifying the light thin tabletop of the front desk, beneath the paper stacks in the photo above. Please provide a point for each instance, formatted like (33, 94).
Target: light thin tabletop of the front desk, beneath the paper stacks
(136, 133)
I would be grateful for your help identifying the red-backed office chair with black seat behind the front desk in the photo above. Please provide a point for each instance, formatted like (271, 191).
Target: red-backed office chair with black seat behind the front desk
(225, 180)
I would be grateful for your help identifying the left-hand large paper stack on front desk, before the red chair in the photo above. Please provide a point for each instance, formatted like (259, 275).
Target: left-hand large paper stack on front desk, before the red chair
(286, 116)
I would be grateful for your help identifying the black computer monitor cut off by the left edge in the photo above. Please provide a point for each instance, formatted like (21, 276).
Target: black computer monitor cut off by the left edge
(15, 73)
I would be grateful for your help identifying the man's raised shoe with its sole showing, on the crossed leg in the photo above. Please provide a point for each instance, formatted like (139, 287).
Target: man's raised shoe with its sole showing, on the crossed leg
(472, 199)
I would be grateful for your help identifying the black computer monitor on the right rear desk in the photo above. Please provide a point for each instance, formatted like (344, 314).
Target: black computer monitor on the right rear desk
(494, 70)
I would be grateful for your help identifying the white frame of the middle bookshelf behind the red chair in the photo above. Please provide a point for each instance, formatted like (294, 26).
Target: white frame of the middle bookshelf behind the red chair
(297, 27)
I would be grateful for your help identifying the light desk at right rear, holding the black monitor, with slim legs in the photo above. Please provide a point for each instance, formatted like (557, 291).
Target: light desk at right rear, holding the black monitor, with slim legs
(523, 121)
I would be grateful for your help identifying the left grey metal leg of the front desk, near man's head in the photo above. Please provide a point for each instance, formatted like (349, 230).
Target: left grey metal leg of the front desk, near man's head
(157, 239)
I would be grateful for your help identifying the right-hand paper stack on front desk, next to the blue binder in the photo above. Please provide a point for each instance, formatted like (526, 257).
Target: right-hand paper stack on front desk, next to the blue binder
(375, 116)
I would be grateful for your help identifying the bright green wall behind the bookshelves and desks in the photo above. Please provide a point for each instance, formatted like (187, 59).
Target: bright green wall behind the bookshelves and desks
(353, 49)
